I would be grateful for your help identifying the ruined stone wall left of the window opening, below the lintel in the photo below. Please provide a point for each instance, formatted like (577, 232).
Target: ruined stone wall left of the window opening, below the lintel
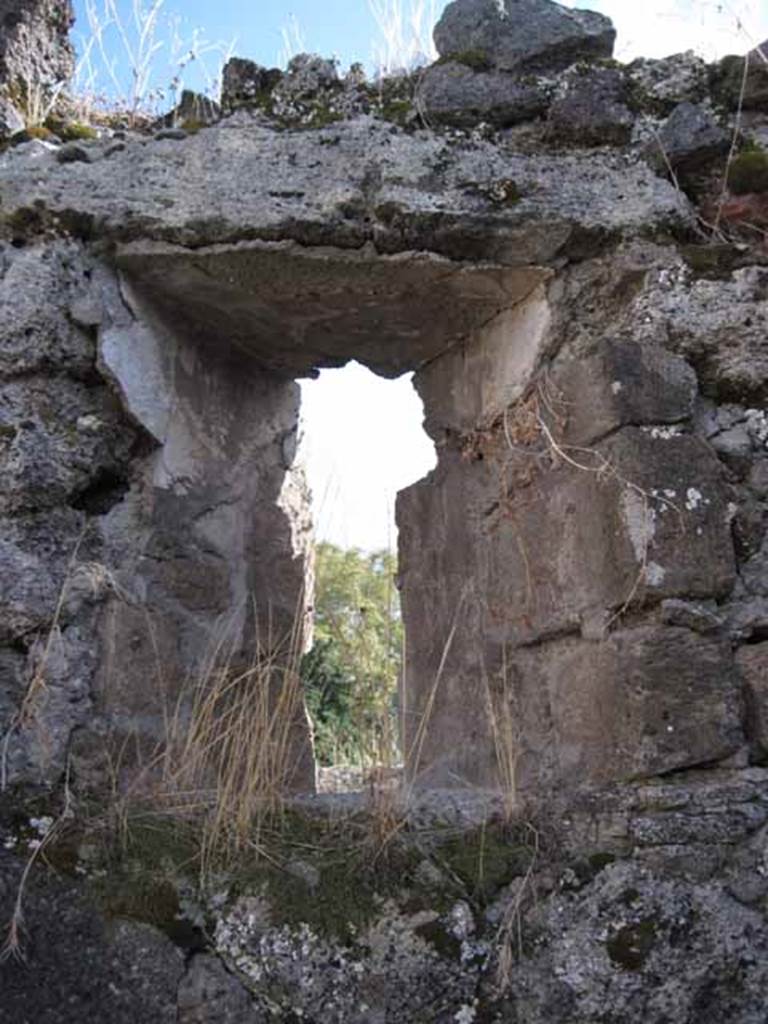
(149, 500)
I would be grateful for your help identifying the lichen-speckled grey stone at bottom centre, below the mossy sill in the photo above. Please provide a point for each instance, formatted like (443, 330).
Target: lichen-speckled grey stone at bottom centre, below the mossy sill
(393, 972)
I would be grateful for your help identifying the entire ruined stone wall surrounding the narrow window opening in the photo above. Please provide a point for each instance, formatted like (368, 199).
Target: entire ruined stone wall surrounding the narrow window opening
(585, 587)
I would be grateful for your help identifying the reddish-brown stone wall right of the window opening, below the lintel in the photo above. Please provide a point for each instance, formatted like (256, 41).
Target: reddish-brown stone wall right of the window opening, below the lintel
(598, 534)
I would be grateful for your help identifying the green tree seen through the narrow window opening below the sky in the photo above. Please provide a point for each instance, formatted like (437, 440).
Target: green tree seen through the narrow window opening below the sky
(352, 674)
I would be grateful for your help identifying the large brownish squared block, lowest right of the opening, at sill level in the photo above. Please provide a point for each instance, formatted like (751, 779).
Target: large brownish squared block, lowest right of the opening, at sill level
(642, 703)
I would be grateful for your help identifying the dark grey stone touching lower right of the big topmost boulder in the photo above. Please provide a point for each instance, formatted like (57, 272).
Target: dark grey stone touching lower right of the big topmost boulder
(592, 110)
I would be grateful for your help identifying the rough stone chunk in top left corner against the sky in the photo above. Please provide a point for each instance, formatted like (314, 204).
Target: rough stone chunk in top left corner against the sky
(35, 50)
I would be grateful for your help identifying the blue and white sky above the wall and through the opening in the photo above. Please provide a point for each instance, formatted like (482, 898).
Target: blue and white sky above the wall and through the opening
(355, 475)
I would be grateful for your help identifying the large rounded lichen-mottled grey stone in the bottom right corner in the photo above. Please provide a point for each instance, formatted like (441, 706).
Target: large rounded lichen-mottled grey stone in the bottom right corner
(600, 949)
